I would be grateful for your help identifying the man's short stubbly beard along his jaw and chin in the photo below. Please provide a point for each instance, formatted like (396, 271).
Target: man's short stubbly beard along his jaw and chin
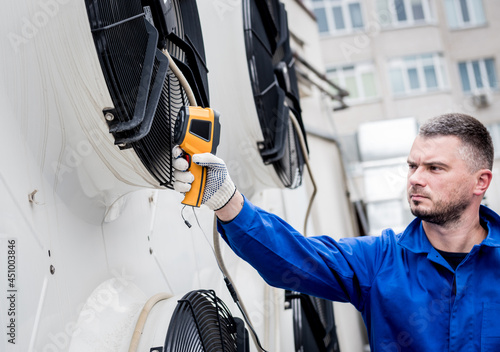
(441, 213)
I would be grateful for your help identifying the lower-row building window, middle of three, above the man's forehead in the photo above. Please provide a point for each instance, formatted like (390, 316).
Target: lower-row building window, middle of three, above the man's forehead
(417, 74)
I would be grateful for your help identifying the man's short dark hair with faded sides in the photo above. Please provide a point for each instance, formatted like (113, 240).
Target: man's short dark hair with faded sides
(477, 146)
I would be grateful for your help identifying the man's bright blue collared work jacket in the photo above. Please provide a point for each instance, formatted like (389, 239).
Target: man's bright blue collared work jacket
(410, 298)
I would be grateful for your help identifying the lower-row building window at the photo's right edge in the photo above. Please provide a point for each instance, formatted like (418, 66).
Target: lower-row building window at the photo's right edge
(478, 75)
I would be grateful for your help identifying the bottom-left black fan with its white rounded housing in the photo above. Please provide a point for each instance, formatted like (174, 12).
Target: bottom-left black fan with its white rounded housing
(194, 322)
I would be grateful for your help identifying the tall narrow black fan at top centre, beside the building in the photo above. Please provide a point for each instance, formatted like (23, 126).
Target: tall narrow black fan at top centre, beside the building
(275, 88)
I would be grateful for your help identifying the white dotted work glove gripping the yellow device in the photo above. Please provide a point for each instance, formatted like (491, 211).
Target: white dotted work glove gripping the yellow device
(219, 187)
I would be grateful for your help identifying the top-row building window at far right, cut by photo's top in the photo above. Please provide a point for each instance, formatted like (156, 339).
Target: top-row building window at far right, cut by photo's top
(465, 13)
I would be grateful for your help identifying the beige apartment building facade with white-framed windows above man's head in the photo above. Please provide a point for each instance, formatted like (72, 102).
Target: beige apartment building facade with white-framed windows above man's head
(400, 58)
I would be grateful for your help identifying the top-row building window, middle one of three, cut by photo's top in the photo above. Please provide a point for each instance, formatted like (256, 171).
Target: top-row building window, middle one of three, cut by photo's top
(404, 12)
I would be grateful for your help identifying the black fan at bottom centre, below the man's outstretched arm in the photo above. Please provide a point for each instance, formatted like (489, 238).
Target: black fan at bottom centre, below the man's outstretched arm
(313, 323)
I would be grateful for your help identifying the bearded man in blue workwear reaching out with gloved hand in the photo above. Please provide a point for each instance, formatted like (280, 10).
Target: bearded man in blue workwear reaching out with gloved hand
(433, 287)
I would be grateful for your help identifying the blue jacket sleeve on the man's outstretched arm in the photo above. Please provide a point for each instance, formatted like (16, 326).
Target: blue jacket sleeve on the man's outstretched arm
(319, 266)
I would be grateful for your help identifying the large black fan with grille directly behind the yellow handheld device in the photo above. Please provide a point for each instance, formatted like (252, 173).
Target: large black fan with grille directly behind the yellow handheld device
(131, 39)
